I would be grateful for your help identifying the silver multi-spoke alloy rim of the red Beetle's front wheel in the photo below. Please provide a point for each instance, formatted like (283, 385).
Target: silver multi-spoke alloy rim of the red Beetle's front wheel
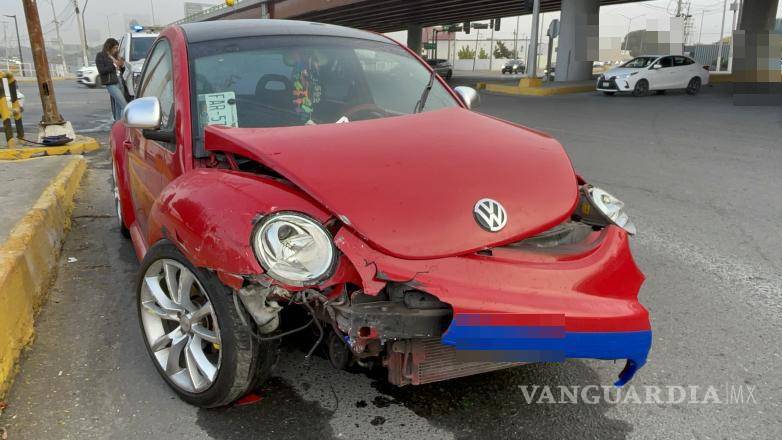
(180, 326)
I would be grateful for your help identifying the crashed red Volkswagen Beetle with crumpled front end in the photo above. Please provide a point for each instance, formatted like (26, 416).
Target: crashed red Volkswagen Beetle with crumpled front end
(271, 165)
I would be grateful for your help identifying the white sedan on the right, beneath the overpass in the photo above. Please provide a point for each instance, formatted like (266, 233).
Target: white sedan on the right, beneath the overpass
(654, 73)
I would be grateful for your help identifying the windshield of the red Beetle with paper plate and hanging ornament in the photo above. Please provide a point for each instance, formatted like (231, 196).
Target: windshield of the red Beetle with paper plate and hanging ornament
(300, 80)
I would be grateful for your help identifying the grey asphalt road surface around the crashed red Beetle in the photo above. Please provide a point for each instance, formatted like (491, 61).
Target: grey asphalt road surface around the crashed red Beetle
(701, 179)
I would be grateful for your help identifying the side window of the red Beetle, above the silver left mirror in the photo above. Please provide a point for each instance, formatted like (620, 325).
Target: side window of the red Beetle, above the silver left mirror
(159, 82)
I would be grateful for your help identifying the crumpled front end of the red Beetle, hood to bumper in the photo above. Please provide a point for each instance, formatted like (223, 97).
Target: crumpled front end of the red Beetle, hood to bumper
(558, 282)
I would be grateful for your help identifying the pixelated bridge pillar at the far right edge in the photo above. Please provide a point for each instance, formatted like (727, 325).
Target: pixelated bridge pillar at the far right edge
(756, 77)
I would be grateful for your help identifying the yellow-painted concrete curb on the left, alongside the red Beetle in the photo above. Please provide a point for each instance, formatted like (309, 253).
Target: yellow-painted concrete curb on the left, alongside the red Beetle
(28, 260)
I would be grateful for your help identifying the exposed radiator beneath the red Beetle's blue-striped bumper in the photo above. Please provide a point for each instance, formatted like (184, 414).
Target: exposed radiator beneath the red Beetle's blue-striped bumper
(421, 361)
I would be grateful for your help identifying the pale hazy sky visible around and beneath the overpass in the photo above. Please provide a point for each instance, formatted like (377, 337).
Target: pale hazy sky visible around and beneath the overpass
(107, 17)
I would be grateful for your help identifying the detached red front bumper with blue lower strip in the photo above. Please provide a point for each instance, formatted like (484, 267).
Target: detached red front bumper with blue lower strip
(522, 305)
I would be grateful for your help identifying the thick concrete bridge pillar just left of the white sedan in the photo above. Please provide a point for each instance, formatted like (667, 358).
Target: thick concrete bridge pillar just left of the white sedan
(578, 40)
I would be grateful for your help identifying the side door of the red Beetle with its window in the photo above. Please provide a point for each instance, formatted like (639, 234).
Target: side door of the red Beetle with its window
(151, 163)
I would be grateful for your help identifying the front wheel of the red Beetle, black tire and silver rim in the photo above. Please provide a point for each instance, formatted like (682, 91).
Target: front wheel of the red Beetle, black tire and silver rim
(193, 332)
